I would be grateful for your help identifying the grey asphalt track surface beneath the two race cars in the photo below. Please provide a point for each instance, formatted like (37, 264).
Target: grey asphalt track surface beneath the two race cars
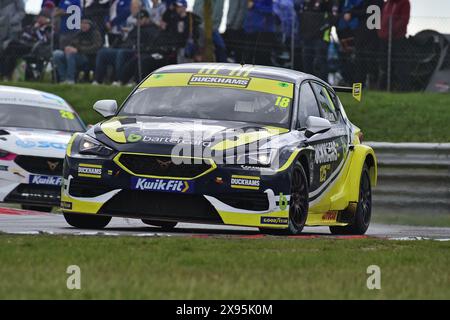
(13, 221)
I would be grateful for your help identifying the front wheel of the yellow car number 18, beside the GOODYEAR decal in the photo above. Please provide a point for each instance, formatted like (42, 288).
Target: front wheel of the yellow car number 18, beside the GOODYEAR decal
(299, 204)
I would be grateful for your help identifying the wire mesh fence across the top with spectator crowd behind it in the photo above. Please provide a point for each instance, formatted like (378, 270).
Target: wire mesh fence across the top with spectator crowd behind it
(325, 43)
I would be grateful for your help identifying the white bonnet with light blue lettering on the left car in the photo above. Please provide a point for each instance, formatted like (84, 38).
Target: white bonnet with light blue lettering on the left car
(34, 142)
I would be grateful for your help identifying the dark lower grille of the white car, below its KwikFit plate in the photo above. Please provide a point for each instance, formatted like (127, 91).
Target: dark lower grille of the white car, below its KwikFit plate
(24, 193)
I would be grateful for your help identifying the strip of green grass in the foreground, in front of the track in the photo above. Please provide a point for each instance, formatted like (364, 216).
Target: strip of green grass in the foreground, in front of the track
(186, 268)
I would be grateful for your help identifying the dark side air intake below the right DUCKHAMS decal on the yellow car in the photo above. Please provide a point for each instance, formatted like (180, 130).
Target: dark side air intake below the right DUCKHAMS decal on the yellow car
(253, 201)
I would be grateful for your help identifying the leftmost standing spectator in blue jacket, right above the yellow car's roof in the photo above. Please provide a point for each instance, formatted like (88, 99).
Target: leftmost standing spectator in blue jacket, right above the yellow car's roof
(259, 29)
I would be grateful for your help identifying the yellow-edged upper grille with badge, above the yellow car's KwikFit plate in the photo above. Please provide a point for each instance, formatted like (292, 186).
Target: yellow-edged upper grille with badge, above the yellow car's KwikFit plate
(160, 166)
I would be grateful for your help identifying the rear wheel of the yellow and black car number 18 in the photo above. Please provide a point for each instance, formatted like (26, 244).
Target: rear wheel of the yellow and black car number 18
(363, 210)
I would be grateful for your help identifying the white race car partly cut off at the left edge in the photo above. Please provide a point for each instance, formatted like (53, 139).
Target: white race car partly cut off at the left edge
(35, 128)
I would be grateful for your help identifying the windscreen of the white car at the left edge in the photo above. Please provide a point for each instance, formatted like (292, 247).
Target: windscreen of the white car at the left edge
(39, 118)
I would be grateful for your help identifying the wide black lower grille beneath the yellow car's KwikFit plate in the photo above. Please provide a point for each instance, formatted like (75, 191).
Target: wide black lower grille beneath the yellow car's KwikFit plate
(147, 205)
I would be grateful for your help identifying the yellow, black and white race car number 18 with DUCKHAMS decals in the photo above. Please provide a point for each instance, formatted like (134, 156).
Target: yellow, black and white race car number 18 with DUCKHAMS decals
(222, 144)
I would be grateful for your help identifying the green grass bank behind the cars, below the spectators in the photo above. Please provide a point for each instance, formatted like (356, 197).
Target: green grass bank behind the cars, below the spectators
(393, 117)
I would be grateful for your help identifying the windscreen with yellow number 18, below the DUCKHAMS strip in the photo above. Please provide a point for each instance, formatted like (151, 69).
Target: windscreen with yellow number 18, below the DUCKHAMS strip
(197, 102)
